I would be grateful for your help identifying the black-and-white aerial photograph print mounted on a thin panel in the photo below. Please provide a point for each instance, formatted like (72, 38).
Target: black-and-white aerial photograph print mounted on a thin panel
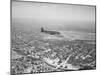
(52, 37)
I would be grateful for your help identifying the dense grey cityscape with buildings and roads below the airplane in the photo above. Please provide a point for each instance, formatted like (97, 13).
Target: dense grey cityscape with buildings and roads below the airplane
(35, 54)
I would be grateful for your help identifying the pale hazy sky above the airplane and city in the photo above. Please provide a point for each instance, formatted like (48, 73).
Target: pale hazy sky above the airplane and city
(53, 16)
